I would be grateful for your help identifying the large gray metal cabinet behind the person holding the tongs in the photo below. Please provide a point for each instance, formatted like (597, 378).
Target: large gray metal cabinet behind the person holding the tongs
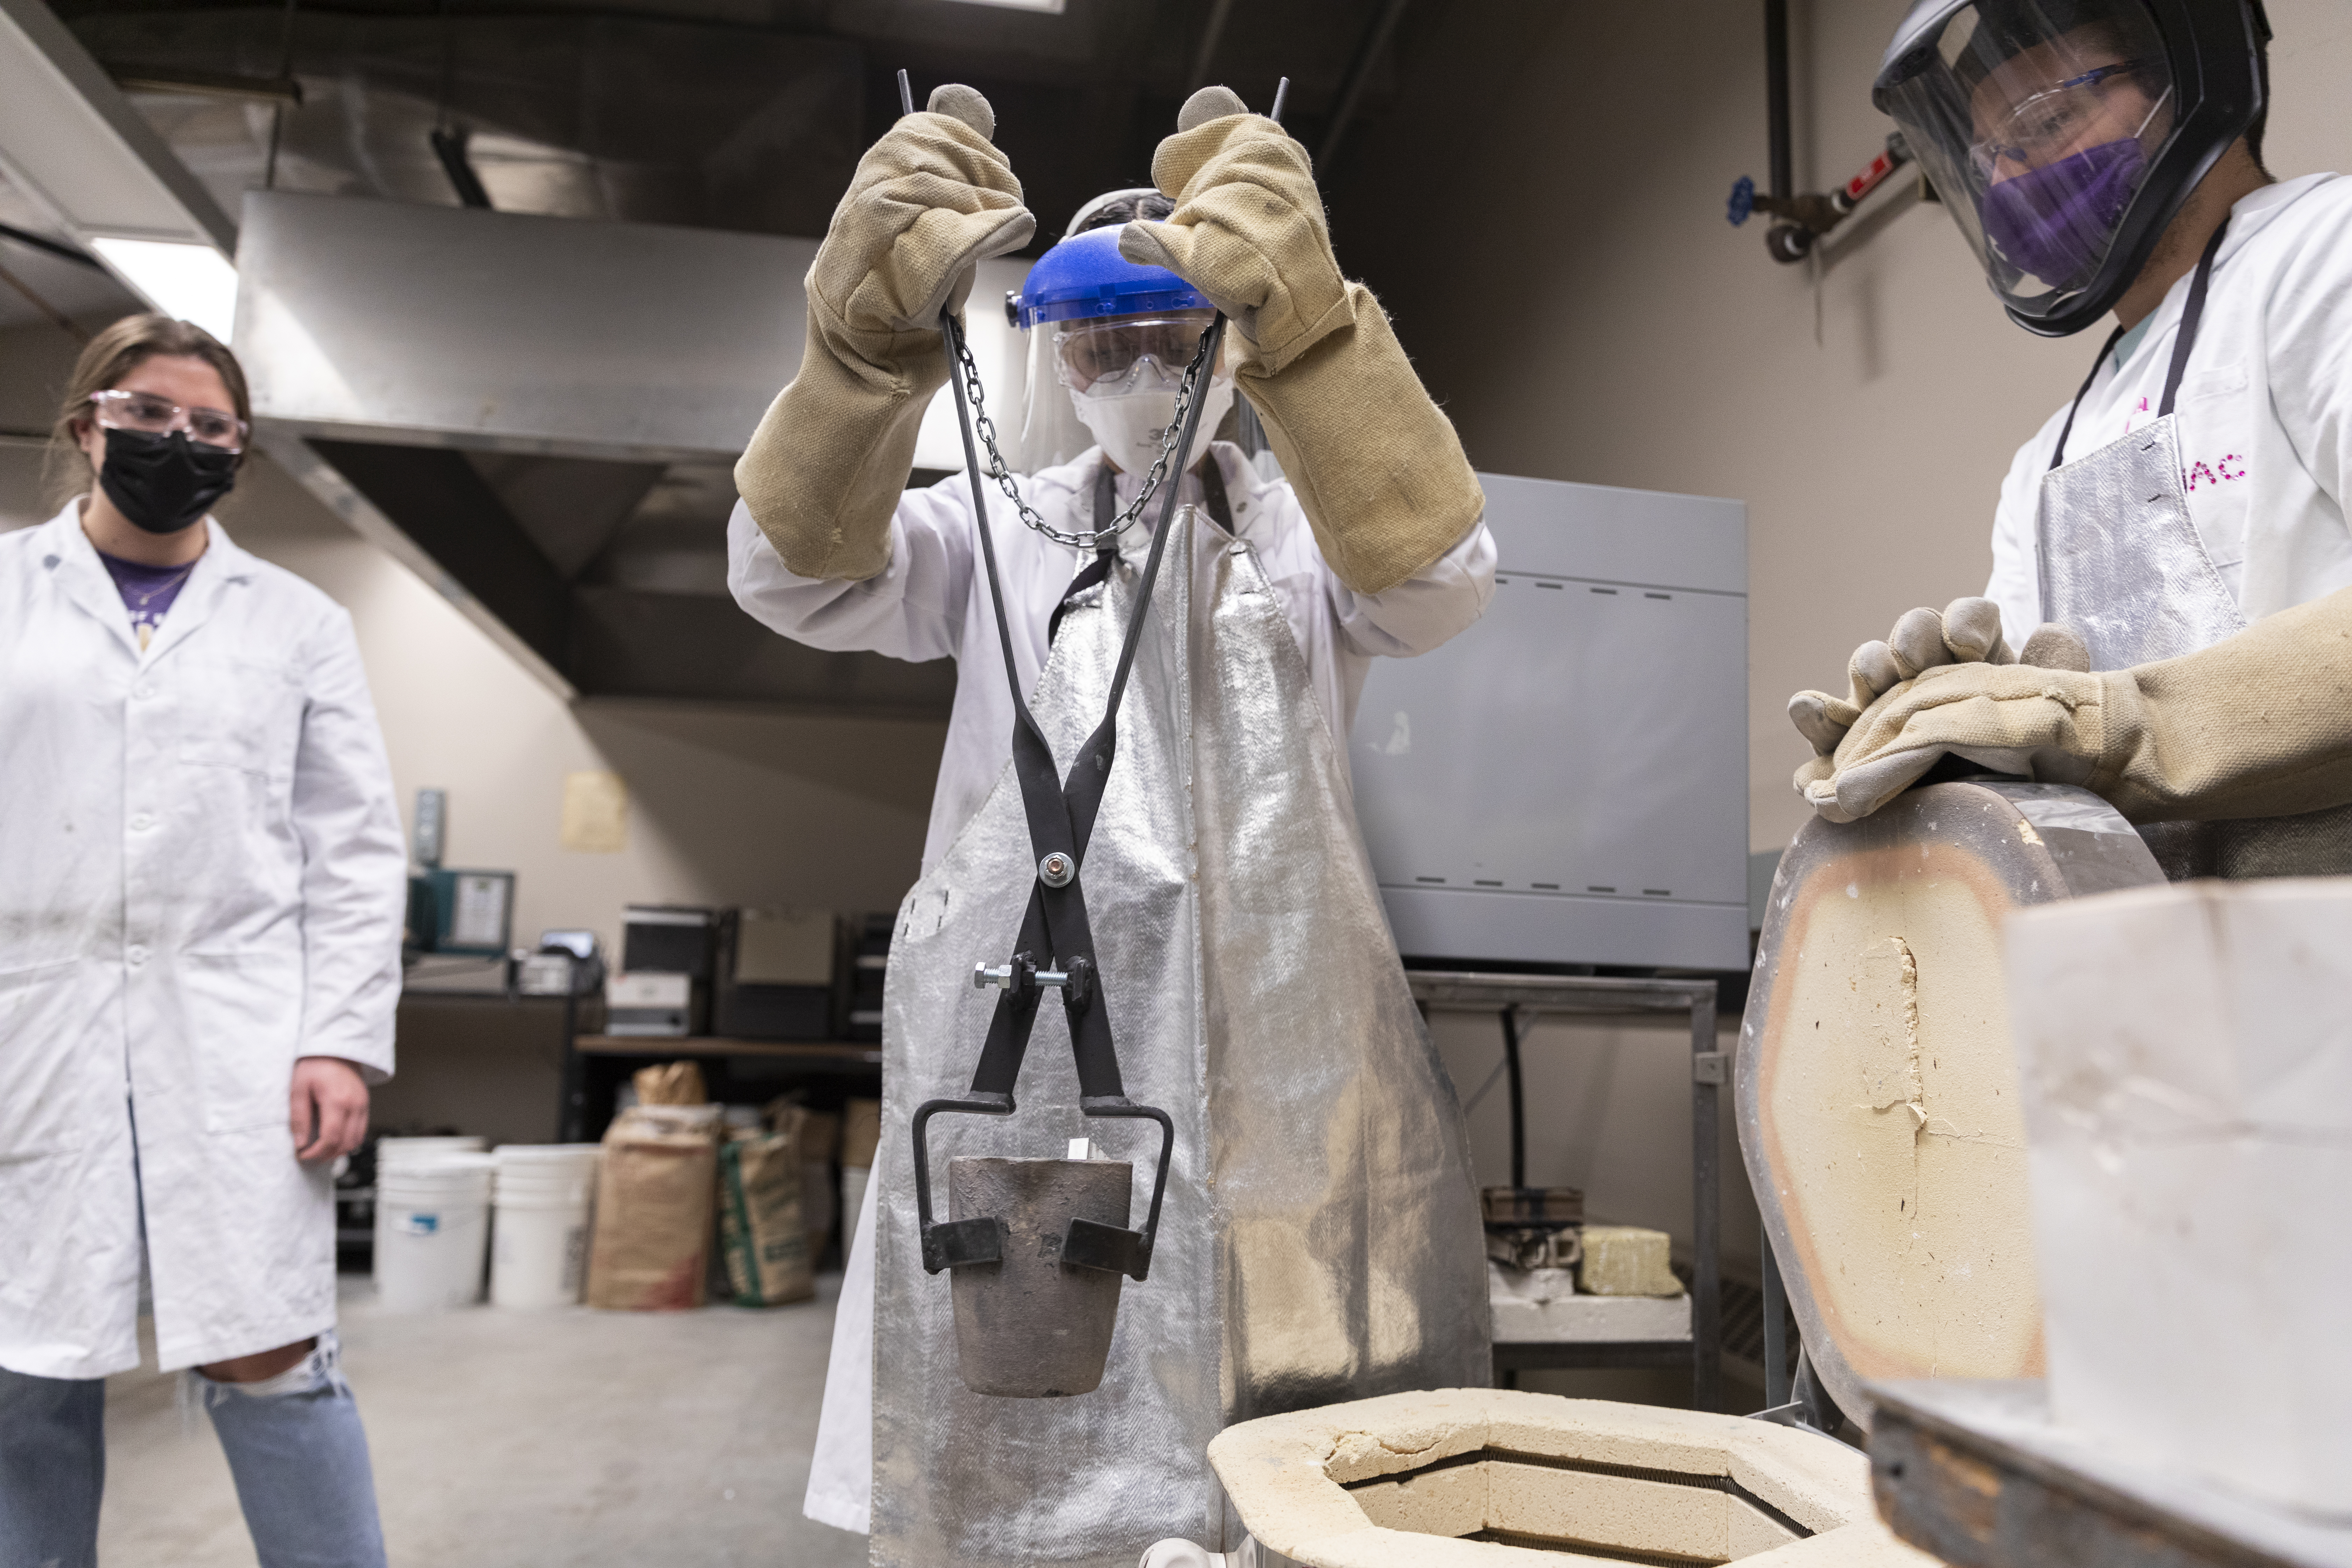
(1568, 782)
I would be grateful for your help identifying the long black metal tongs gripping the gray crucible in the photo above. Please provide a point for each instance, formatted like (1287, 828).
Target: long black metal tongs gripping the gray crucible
(1062, 822)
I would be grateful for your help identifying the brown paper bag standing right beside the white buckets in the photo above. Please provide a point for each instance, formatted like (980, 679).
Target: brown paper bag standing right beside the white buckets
(653, 1209)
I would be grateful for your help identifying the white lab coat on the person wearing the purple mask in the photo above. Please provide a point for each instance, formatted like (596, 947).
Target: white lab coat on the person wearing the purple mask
(2264, 410)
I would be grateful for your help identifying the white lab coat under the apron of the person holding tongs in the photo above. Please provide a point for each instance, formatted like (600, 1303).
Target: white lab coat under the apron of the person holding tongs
(933, 603)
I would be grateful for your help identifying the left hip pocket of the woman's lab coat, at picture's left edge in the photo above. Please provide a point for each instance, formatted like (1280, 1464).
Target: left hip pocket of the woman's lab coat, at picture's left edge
(51, 1085)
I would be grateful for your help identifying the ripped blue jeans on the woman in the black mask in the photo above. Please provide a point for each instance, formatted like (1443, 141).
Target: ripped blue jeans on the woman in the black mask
(293, 1442)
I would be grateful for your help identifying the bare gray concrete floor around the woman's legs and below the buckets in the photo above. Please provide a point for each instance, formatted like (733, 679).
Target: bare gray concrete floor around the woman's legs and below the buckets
(509, 1440)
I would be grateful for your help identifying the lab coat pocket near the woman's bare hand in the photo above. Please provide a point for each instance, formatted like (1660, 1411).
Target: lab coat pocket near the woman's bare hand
(243, 1019)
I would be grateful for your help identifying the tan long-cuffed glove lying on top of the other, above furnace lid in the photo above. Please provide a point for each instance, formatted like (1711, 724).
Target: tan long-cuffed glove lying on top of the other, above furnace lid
(2257, 725)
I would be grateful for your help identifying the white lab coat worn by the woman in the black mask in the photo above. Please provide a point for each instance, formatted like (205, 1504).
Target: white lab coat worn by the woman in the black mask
(201, 878)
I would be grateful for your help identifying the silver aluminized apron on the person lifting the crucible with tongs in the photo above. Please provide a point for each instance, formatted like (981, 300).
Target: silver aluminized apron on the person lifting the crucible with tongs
(1321, 1233)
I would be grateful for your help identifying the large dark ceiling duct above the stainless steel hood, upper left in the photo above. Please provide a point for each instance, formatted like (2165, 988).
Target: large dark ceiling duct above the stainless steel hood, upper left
(563, 116)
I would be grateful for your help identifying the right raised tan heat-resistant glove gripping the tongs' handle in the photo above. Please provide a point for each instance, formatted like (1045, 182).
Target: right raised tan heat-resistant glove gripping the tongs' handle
(1377, 467)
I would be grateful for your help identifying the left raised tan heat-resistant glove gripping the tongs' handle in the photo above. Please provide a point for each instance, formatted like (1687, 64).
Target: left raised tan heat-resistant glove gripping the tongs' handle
(829, 462)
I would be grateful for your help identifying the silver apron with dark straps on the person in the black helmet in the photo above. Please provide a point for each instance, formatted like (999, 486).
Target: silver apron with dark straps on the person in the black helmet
(2120, 561)
